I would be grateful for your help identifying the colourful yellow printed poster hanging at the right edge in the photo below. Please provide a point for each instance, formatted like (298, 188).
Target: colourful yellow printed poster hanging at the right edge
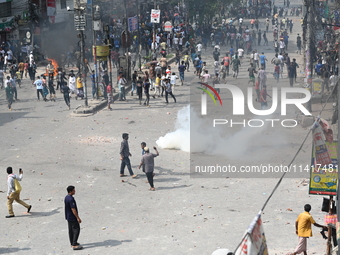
(323, 178)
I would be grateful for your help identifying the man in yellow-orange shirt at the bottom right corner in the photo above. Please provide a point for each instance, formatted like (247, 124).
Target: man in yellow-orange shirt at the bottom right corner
(303, 226)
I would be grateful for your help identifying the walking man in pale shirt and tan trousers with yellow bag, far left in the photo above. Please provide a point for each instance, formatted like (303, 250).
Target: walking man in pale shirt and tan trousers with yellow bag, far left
(13, 191)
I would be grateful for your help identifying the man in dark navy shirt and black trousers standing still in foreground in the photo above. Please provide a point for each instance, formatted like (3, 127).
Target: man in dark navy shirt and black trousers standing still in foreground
(72, 217)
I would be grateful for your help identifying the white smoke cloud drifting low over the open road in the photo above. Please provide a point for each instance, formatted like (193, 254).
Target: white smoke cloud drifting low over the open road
(219, 140)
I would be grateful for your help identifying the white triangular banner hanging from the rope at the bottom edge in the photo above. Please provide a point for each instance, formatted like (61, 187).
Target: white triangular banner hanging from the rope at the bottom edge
(255, 240)
